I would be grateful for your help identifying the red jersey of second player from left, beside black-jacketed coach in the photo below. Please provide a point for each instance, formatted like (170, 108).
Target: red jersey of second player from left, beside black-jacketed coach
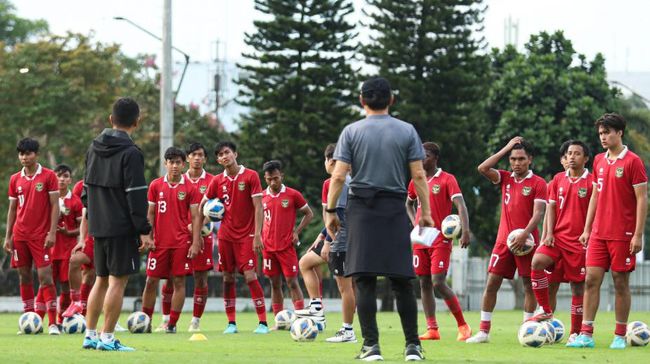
(70, 214)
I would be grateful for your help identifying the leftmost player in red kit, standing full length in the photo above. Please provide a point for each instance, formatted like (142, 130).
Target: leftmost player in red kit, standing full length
(32, 218)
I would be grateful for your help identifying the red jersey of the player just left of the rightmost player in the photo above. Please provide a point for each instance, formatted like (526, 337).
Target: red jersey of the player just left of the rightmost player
(571, 198)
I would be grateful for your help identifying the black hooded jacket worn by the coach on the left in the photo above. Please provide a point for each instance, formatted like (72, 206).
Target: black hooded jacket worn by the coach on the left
(115, 191)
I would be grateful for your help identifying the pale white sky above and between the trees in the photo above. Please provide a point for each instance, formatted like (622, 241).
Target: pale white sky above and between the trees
(618, 29)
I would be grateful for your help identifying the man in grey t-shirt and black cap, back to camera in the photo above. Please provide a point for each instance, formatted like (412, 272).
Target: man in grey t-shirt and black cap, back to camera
(381, 152)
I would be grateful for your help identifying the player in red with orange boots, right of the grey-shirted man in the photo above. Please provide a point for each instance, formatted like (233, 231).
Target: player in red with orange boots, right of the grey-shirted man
(433, 261)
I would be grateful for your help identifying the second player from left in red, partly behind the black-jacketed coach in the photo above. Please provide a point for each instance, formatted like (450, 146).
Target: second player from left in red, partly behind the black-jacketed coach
(70, 208)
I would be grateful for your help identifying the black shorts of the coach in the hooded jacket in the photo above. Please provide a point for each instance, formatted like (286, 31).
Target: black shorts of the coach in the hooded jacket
(117, 256)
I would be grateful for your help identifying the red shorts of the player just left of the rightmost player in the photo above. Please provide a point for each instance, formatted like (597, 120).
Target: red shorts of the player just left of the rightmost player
(569, 265)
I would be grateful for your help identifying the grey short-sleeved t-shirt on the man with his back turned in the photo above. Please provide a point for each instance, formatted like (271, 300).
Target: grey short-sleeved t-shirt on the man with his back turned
(379, 149)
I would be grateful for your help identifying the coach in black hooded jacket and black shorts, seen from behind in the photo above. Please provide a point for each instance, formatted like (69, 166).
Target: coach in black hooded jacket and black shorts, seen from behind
(115, 193)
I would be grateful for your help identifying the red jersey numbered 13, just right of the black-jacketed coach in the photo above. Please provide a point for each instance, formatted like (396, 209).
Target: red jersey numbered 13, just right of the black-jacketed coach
(172, 211)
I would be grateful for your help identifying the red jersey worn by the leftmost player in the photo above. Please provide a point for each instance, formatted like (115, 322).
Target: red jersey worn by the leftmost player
(33, 208)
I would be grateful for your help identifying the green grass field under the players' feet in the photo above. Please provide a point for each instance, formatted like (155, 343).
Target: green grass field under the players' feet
(277, 347)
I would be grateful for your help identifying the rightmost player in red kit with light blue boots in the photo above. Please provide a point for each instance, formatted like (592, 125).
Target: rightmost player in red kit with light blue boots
(614, 228)
